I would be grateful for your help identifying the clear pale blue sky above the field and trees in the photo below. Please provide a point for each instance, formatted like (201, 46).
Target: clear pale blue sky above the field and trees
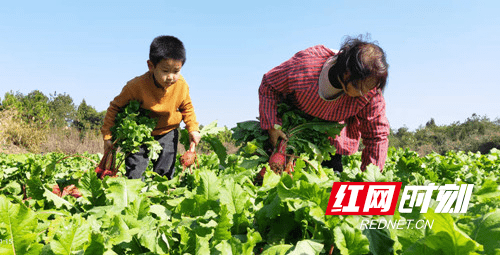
(443, 55)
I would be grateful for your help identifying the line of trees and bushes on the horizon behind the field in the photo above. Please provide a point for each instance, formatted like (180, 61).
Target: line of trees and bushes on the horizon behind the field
(39, 112)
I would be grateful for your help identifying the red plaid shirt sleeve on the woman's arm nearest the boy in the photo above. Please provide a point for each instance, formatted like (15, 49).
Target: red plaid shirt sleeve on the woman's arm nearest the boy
(274, 86)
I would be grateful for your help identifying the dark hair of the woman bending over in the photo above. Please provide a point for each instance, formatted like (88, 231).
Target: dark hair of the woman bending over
(360, 59)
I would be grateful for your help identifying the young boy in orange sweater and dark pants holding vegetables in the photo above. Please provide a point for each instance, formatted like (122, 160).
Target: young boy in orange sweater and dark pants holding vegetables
(164, 92)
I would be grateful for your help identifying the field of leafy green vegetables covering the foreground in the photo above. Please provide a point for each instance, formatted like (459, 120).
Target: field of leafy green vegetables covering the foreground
(217, 209)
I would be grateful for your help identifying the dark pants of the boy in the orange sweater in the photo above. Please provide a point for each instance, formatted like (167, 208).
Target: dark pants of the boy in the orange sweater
(137, 163)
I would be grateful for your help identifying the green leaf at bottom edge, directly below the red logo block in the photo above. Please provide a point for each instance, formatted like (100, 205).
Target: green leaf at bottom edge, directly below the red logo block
(350, 240)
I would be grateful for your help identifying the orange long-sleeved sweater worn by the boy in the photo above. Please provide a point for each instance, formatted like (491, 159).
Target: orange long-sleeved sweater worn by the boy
(170, 106)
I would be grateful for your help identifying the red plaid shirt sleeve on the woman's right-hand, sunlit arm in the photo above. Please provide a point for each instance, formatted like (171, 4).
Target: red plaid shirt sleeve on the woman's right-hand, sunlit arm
(375, 129)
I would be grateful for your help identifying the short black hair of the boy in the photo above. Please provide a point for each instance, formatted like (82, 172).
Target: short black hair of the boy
(166, 46)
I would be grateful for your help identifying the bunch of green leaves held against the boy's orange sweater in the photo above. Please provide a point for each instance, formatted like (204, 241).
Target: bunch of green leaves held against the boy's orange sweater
(133, 128)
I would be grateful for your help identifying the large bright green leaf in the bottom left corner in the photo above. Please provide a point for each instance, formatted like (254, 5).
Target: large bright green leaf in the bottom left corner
(17, 229)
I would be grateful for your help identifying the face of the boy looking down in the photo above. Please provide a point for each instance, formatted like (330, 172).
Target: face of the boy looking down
(167, 72)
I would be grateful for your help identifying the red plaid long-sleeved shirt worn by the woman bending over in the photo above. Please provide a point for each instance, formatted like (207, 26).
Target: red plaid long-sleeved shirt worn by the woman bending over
(364, 116)
